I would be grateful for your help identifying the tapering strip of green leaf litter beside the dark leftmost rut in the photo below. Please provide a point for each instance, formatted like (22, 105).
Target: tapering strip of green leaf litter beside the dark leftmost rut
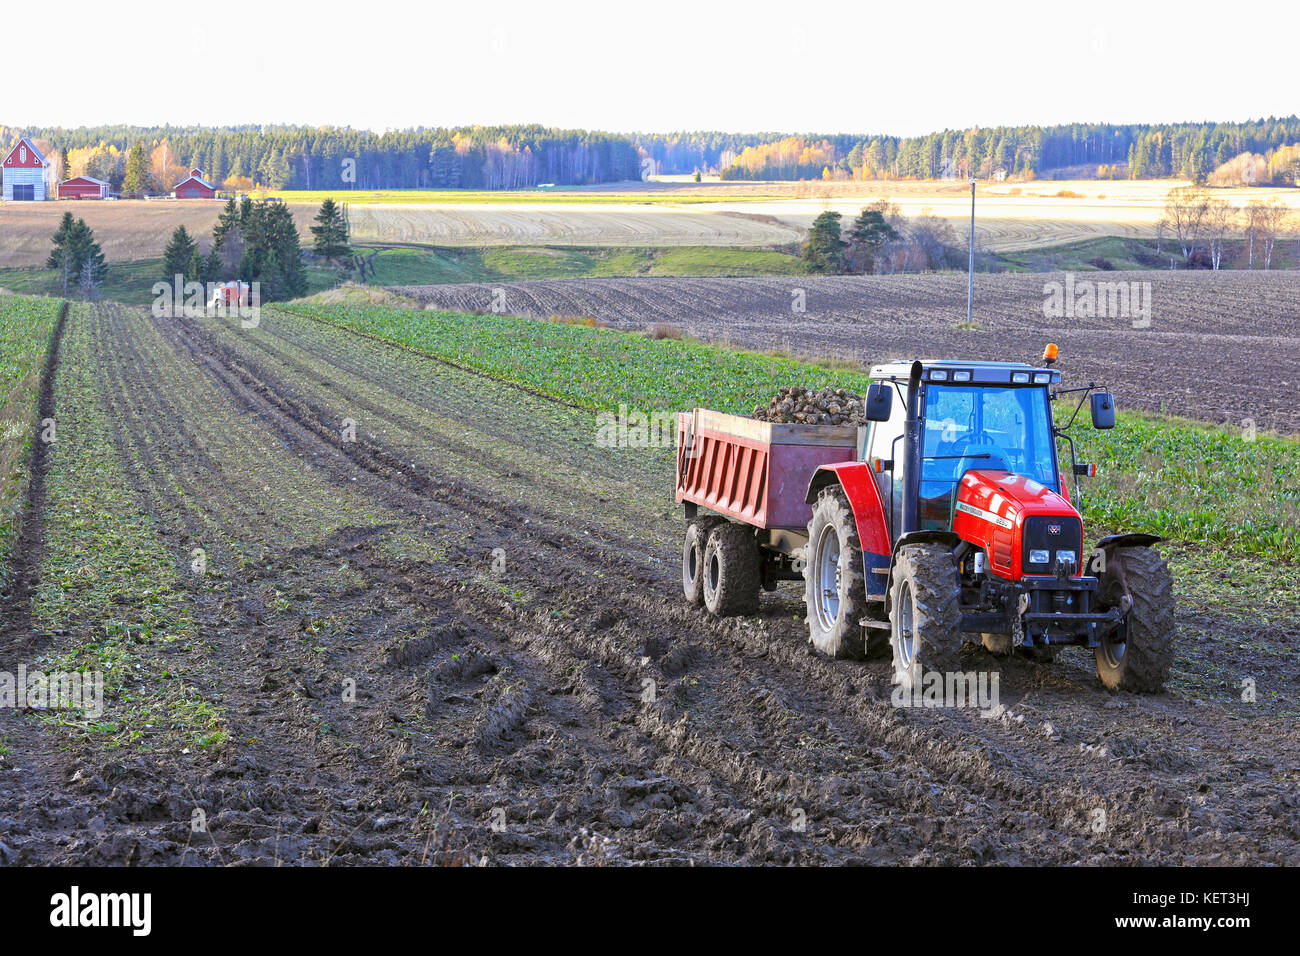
(109, 582)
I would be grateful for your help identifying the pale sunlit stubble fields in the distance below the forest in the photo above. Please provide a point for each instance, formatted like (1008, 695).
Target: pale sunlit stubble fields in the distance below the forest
(1011, 217)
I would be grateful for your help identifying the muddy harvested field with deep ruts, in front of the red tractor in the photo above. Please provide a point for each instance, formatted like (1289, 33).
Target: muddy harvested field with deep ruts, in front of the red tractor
(530, 686)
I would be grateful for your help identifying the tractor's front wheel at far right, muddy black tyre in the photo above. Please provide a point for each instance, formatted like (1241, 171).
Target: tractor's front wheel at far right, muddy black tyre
(1142, 664)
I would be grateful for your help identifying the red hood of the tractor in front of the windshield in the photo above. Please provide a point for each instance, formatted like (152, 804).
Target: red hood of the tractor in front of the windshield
(991, 512)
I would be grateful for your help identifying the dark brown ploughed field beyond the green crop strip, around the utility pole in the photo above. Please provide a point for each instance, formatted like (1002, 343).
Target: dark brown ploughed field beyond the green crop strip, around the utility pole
(1203, 356)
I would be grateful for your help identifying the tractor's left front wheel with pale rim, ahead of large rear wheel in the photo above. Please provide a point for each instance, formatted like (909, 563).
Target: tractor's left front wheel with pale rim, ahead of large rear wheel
(925, 613)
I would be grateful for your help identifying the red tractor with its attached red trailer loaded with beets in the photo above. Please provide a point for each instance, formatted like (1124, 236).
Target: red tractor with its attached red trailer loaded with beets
(947, 518)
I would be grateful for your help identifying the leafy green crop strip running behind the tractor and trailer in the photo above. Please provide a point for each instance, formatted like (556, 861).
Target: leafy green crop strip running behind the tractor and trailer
(1169, 477)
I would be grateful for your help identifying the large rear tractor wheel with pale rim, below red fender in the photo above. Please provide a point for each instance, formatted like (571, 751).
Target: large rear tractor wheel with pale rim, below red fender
(834, 587)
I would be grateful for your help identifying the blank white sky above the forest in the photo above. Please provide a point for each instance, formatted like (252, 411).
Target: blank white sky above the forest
(904, 68)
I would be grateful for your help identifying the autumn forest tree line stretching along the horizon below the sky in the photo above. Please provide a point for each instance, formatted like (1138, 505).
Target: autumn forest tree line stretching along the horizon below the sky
(302, 158)
